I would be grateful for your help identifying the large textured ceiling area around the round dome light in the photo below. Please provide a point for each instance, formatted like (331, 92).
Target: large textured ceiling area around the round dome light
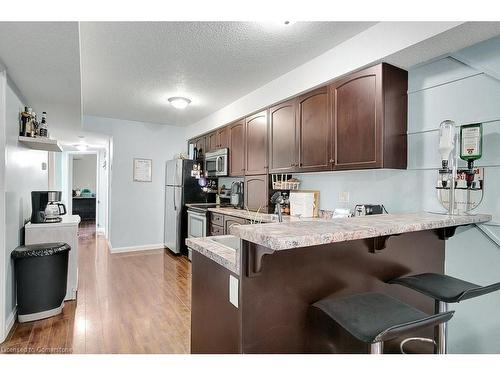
(129, 69)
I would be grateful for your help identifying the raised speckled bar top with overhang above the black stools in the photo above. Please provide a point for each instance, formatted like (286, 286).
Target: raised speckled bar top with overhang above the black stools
(290, 235)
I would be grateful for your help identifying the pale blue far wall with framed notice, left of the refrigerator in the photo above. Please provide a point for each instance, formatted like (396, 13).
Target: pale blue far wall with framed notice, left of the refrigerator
(137, 208)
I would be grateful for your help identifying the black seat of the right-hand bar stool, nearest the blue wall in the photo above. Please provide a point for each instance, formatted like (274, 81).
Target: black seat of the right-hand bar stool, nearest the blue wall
(444, 288)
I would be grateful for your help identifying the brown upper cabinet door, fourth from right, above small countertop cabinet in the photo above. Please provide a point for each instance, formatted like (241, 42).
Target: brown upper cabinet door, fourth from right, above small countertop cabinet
(256, 144)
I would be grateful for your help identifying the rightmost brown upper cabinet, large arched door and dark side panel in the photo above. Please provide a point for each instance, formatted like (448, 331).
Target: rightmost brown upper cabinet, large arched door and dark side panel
(369, 119)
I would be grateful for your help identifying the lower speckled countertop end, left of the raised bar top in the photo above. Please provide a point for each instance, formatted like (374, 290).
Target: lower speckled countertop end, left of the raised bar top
(227, 257)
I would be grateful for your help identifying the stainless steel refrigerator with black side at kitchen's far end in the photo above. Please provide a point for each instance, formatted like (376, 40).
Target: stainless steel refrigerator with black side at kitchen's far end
(180, 189)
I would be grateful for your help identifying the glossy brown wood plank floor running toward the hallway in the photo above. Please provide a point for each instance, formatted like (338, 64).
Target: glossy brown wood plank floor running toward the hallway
(127, 303)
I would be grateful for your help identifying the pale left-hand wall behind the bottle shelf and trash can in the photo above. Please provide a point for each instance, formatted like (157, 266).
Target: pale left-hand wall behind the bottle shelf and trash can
(23, 173)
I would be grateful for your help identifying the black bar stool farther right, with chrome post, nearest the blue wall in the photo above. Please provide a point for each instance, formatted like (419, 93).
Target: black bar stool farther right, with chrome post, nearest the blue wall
(443, 289)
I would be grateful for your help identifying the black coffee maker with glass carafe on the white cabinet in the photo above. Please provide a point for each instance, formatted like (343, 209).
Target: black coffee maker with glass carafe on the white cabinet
(46, 207)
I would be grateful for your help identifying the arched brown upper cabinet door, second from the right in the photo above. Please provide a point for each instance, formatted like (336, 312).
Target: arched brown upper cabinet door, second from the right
(314, 129)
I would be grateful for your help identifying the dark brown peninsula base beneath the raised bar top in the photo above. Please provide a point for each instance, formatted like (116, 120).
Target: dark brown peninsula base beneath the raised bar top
(274, 313)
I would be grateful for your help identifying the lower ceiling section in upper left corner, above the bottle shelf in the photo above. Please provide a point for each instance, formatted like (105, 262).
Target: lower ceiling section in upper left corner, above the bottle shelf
(43, 59)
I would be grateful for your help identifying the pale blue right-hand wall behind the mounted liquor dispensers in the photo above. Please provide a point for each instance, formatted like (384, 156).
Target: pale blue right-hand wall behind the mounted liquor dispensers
(450, 89)
